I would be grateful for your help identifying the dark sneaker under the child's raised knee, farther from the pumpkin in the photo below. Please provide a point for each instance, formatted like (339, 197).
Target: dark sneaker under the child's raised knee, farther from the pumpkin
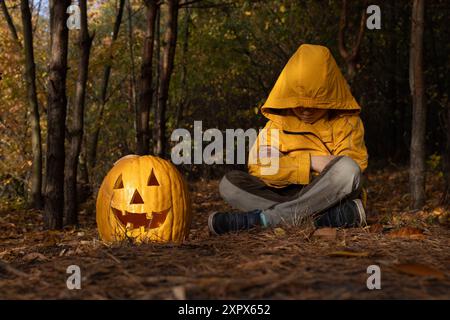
(347, 214)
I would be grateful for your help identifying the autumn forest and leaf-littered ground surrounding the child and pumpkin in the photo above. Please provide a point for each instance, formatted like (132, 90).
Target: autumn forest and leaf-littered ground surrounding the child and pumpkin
(81, 89)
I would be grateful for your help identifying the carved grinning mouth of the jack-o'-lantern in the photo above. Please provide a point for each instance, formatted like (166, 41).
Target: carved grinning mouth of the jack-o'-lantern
(137, 220)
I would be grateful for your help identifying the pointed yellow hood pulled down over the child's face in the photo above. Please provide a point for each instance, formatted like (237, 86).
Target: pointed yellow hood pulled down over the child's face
(311, 78)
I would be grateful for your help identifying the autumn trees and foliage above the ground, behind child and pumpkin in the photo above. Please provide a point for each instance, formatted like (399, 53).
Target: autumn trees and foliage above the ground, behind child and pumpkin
(226, 56)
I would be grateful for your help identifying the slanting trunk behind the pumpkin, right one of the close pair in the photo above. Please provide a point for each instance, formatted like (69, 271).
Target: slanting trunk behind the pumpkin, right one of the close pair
(165, 72)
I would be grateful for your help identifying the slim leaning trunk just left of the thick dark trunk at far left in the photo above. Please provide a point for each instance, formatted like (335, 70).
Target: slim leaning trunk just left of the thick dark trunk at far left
(33, 112)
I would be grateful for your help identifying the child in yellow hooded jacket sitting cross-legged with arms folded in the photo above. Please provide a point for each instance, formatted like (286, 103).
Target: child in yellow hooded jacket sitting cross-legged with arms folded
(320, 149)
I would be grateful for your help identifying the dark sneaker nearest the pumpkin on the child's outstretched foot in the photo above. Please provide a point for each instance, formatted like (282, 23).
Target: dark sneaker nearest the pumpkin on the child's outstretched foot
(223, 222)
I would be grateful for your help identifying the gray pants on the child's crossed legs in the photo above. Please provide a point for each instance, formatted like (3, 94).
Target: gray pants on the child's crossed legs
(338, 181)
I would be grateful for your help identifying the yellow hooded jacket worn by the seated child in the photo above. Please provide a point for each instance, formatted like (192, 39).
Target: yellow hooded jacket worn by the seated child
(311, 78)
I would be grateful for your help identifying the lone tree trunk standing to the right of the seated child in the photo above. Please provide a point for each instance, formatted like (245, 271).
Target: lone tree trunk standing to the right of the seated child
(416, 79)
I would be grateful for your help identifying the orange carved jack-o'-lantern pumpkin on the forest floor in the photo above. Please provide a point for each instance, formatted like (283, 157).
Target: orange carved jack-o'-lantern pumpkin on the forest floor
(143, 199)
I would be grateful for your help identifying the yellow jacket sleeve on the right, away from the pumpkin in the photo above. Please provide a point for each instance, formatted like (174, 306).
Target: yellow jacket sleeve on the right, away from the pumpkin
(350, 140)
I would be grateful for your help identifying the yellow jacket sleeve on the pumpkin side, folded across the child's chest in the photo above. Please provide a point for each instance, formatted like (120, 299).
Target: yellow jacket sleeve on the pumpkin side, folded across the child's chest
(274, 170)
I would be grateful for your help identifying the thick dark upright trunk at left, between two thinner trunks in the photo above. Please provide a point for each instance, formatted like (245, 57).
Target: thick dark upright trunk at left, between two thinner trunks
(56, 115)
